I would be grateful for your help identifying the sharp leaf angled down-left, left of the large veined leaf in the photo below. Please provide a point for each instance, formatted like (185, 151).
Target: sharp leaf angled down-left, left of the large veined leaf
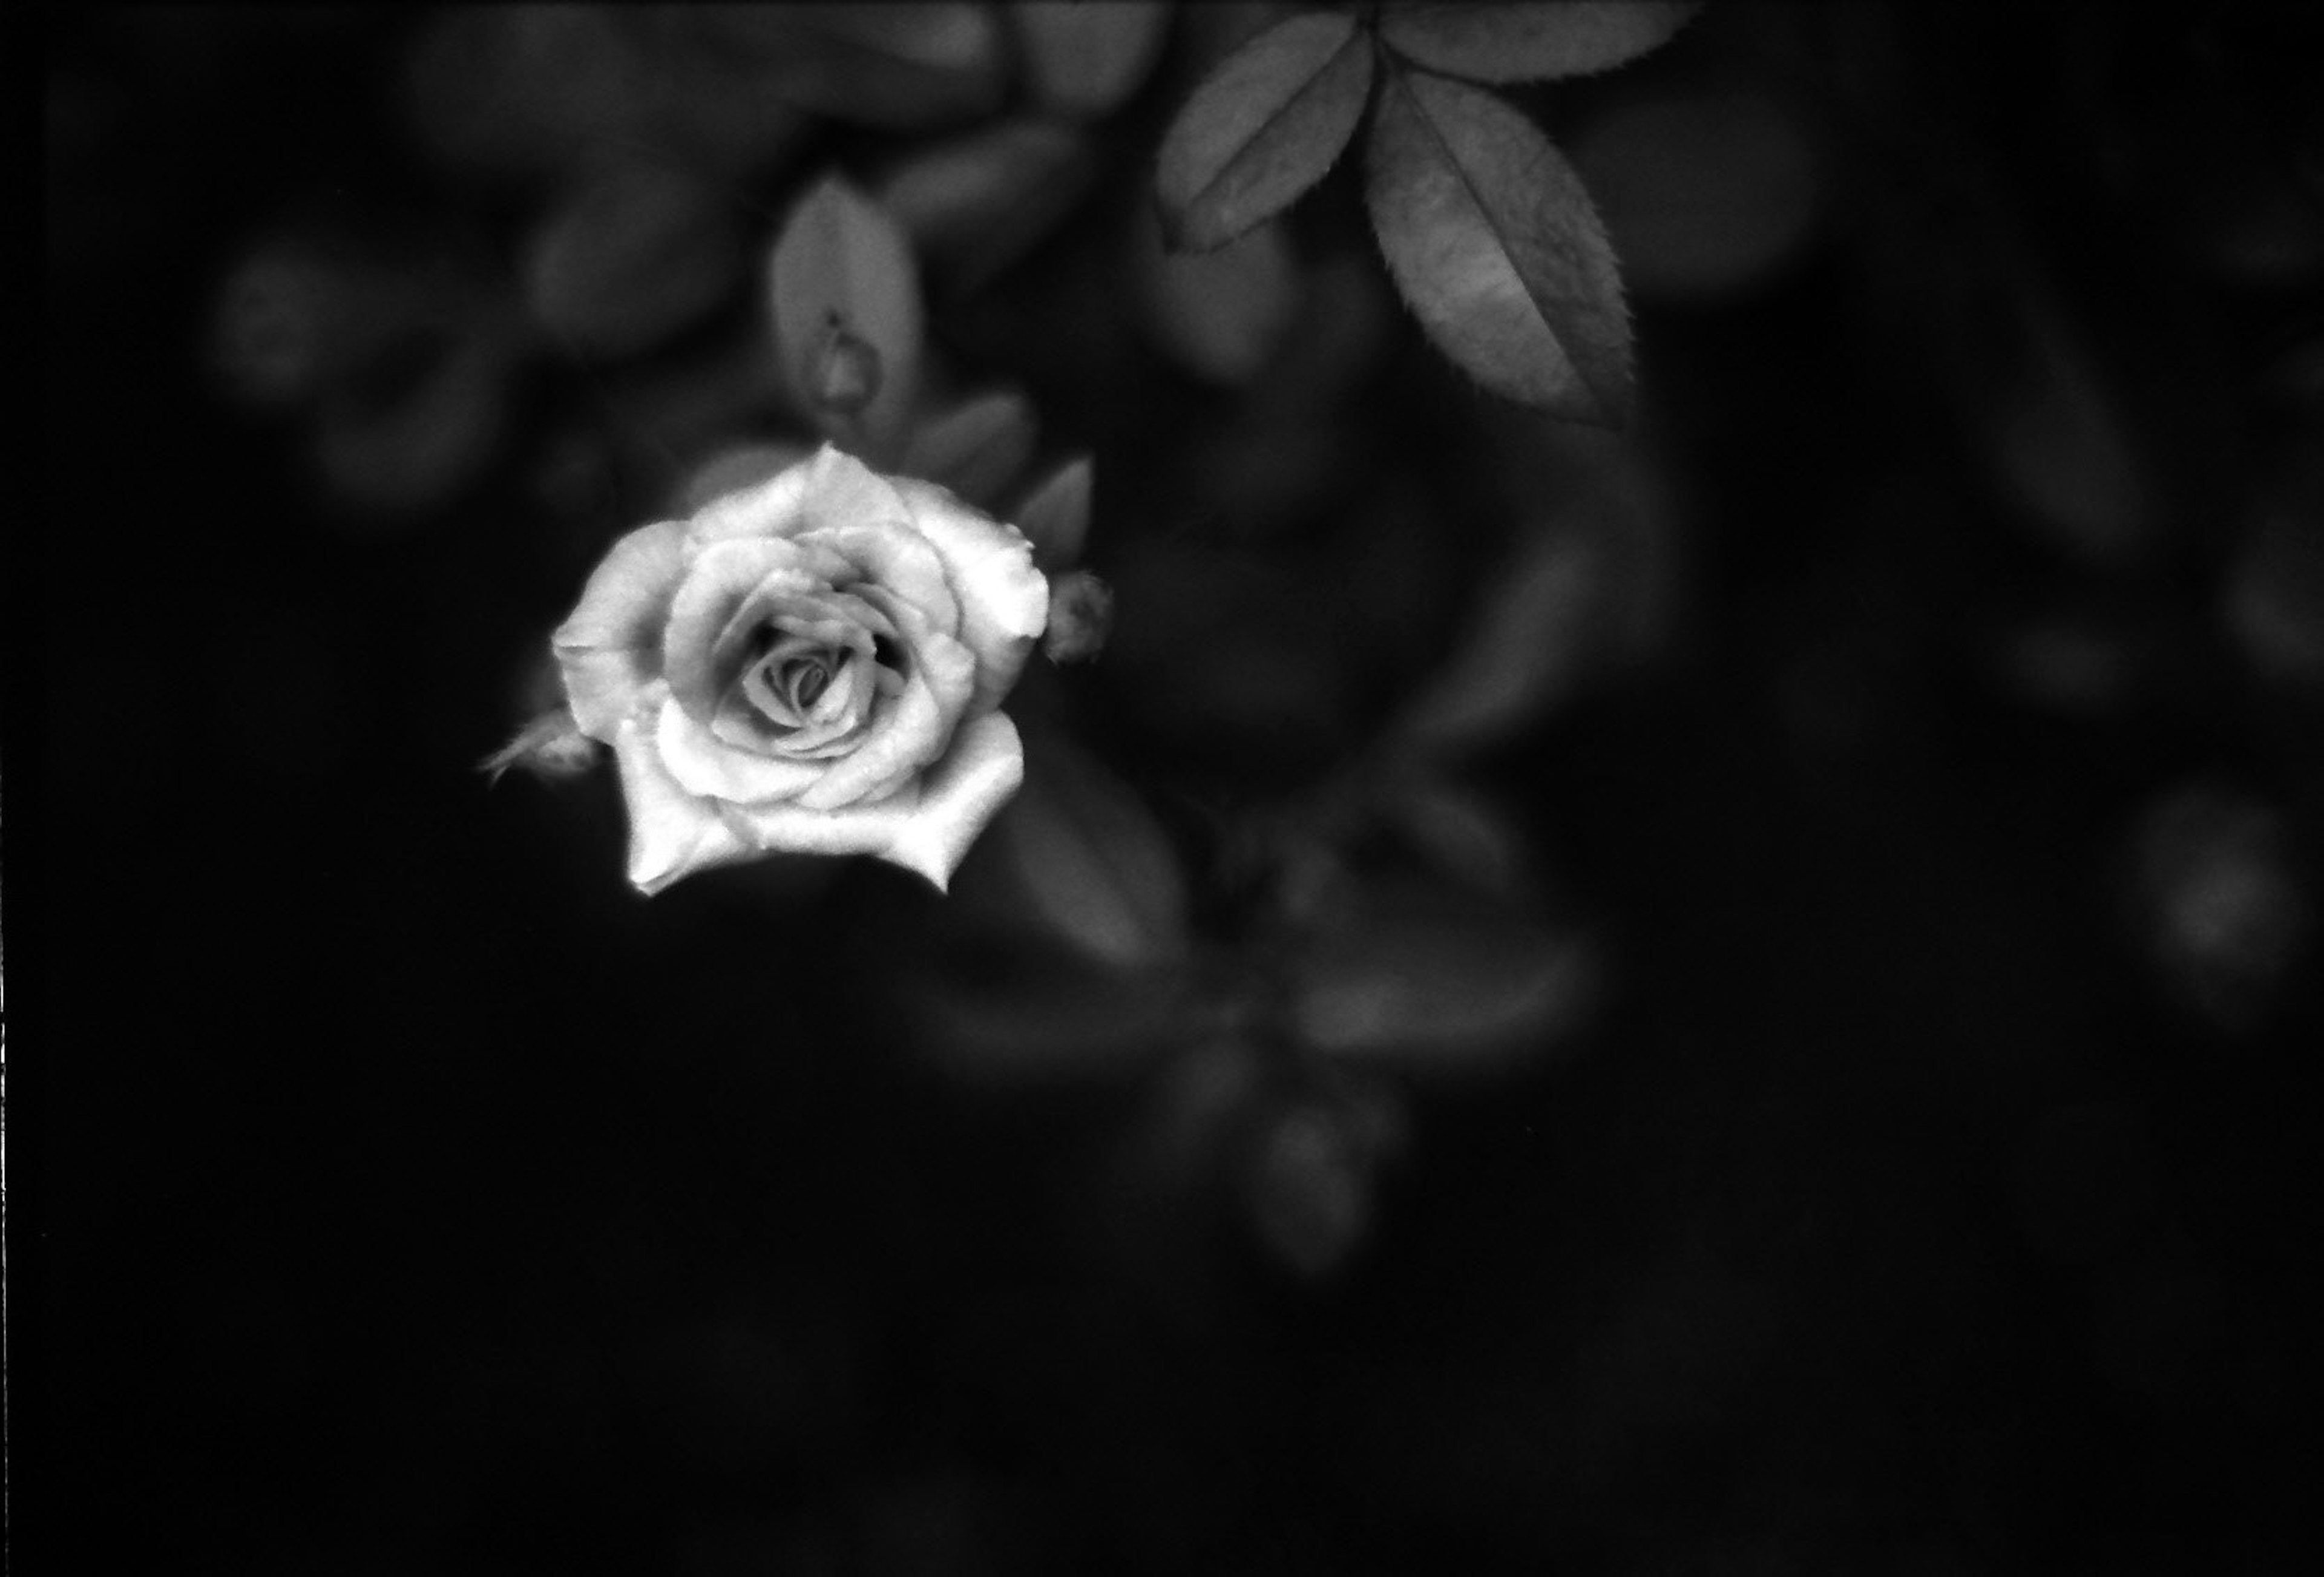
(1263, 129)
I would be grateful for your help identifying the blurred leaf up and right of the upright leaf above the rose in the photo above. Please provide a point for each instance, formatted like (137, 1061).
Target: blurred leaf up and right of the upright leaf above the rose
(980, 203)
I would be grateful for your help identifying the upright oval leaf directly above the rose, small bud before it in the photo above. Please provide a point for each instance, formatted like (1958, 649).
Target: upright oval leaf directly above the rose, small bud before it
(842, 273)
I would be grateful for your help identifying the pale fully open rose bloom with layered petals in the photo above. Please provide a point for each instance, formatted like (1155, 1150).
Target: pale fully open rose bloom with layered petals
(808, 665)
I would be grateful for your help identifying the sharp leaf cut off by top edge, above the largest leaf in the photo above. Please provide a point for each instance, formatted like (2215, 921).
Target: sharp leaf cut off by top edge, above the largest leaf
(1528, 41)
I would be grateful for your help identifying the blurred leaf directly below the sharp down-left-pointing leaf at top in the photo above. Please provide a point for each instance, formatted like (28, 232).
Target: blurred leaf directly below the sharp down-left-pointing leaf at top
(1221, 315)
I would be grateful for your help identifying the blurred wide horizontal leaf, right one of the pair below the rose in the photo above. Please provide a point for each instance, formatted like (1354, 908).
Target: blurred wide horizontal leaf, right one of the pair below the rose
(1433, 981)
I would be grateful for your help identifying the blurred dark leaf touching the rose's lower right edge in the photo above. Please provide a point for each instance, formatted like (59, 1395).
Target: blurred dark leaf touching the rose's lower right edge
(1091, 863)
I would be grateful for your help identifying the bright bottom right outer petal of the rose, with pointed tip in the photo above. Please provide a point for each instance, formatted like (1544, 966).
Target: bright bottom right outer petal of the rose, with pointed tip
(924, 828)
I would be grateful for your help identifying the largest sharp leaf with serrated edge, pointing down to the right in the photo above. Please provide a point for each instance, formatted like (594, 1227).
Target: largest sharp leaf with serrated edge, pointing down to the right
(1491, 238)
